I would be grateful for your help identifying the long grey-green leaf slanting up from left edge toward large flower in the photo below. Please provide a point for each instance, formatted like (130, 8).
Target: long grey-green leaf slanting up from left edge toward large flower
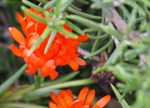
(12, 79)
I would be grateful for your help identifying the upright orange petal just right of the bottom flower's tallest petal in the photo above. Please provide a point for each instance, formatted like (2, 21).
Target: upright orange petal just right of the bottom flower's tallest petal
(89, 98)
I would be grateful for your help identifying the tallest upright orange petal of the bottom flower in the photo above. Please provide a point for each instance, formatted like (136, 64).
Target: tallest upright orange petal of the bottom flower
(83, 93)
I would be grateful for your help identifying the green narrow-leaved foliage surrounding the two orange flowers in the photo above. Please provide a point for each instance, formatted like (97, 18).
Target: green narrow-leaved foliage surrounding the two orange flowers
(119, 28)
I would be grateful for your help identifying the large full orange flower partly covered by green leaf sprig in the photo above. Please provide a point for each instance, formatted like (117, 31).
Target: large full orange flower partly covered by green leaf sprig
(63, 50)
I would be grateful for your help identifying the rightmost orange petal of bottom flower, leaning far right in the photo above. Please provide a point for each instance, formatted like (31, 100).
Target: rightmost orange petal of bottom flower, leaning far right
(102, 102)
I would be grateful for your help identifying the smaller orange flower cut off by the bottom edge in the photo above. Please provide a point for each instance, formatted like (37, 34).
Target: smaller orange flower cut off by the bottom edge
(84, 100)
